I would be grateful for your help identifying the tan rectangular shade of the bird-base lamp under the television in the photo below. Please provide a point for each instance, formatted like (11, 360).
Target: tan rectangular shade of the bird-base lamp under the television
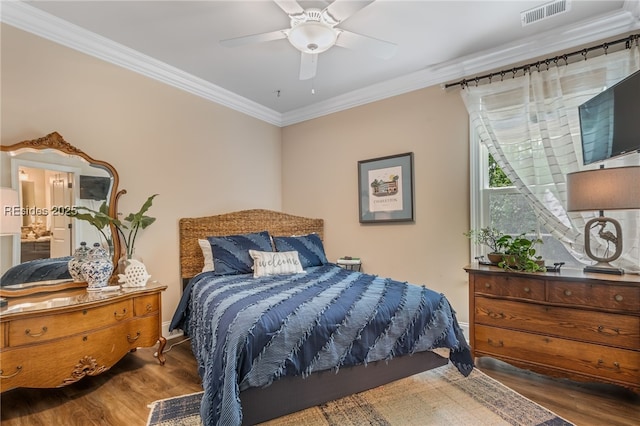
(604, 189)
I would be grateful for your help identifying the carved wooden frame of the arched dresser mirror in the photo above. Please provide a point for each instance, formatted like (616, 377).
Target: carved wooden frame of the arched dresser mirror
(56, 142)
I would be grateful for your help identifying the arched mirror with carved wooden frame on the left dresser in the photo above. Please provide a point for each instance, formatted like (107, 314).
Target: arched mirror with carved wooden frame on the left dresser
(43, 180)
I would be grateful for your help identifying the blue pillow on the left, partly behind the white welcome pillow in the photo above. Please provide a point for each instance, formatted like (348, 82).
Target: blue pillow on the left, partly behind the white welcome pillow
(231, 252)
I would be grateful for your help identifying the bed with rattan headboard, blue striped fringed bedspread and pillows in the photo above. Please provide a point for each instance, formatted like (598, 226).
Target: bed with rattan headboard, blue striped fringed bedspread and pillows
(298, 330)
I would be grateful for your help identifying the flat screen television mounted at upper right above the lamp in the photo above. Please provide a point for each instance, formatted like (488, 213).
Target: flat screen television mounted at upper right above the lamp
(610, 121)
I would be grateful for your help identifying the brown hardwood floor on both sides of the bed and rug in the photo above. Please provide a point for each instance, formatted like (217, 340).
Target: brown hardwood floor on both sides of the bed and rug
(121, 395)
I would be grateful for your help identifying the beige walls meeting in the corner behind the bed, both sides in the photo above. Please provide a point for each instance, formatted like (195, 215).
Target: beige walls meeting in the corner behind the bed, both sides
(151, 133)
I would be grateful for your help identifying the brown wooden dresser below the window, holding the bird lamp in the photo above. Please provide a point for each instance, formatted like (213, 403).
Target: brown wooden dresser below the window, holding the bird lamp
(566, 324)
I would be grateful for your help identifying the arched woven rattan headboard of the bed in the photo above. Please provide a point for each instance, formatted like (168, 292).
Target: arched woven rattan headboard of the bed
(277, 223)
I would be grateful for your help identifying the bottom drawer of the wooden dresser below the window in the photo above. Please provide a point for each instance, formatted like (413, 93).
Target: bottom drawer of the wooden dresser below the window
(587, 359)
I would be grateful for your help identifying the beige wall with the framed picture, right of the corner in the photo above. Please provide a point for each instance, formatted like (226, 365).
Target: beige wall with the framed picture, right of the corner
(320, 179)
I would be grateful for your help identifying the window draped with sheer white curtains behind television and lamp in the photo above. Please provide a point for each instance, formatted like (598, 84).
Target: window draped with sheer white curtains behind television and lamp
(531, 125)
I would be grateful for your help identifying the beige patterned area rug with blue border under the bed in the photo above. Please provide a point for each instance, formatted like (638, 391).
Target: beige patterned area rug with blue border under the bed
(437, 397)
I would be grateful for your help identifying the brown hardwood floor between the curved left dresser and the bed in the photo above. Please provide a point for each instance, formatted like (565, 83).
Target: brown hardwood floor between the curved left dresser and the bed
(118, 397)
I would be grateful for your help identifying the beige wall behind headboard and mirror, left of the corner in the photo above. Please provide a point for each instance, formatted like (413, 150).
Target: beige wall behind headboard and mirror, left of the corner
(200, 157)
